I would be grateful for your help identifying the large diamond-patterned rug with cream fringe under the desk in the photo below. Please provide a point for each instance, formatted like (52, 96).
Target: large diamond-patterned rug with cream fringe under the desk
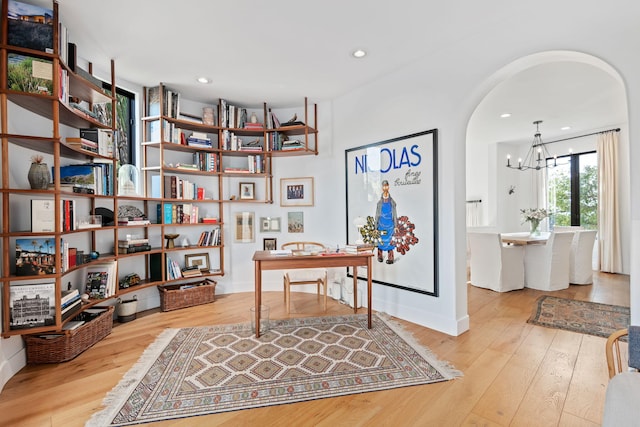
(207, 370)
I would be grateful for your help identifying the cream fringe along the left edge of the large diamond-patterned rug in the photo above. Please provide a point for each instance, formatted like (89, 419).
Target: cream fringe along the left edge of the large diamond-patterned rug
(130, 380)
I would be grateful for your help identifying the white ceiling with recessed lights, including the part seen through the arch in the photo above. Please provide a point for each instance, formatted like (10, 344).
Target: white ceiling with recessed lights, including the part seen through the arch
(282, 50)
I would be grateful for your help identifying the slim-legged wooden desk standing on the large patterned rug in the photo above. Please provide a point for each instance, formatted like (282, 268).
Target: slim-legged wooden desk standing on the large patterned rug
(264, 260)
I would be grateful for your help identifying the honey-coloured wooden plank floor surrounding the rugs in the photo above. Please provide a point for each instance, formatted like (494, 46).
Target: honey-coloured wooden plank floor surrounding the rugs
(515, 373)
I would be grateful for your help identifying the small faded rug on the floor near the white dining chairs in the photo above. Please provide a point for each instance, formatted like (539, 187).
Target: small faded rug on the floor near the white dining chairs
(579, 316)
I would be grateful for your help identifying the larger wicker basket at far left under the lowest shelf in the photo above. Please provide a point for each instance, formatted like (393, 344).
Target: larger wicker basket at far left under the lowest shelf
(72, 343)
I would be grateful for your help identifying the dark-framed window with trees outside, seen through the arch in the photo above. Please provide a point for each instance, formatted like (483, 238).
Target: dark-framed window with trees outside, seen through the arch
(573, 190)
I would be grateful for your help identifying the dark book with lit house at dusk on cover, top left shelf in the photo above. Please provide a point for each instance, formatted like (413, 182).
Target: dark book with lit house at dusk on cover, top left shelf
(30, 26)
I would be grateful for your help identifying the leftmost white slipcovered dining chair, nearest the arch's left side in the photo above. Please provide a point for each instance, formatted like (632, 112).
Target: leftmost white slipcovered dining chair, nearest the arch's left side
(493, 265)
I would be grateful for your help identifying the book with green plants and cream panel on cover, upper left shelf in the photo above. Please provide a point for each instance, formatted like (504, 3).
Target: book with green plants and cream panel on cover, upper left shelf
(29, 74)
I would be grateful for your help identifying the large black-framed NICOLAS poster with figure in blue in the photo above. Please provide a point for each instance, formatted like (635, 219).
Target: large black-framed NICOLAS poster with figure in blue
(392, 203)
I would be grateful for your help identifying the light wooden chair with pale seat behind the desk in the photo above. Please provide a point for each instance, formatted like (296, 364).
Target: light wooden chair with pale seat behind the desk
(305, 276)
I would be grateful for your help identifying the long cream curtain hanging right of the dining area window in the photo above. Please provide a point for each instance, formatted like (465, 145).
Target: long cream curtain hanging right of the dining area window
(608, 209)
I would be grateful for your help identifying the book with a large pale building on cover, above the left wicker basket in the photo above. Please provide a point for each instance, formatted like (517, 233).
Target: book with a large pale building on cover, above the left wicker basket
(31, 305)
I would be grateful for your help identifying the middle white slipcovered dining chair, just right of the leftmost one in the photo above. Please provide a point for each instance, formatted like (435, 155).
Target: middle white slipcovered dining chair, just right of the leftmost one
(547, 266)
